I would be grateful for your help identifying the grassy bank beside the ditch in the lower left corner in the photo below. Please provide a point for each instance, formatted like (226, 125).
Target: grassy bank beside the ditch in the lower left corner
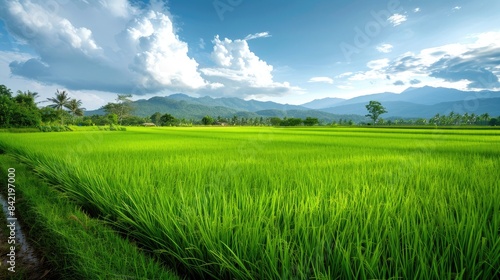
(75, 245)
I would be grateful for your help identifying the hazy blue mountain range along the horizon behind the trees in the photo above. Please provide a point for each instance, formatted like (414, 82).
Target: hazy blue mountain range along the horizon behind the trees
(423, 102)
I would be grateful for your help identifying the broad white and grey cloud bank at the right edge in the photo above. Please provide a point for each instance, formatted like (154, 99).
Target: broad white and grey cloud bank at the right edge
(465, 66)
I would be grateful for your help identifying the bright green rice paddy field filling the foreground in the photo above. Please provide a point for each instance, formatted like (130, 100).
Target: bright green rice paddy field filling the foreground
(287, 203)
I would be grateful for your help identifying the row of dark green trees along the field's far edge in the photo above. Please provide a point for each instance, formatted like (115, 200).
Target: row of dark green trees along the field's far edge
(23, 110)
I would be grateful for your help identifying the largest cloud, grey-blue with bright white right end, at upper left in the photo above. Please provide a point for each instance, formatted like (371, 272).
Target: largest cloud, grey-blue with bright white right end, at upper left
(122, 49)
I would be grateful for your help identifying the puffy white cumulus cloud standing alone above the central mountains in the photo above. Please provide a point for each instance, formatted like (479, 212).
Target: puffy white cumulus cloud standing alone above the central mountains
(241, 71)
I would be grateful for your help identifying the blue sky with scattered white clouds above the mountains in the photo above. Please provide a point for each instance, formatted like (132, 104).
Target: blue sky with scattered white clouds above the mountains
(287, 51)
